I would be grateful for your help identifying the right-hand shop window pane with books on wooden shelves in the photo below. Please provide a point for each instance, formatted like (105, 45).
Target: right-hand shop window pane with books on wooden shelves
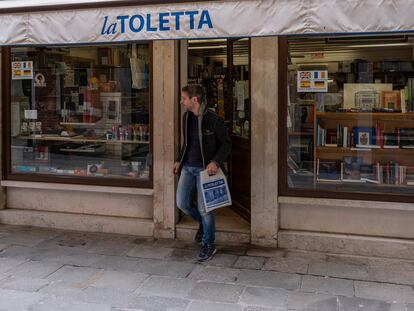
(350, 116)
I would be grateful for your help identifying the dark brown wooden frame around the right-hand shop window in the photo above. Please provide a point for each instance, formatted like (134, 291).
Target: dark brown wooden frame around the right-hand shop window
(283, 187)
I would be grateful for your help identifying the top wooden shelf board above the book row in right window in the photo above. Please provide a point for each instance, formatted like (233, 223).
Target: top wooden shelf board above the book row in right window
(366, 115)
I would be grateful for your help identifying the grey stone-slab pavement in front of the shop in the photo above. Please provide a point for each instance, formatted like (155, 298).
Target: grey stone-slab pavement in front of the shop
(53, 270)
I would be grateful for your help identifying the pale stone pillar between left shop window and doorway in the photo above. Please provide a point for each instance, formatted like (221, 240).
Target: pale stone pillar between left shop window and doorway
(165, 114)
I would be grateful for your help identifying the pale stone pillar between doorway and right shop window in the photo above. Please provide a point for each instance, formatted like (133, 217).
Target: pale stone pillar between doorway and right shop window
(264, 146)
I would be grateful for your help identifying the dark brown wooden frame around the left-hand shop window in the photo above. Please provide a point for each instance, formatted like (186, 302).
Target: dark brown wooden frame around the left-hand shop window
(7, 174)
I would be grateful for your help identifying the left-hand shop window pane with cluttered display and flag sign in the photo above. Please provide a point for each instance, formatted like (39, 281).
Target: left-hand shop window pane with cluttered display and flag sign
(81, 112)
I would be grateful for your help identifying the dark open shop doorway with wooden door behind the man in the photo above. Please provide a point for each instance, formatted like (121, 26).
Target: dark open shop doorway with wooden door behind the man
(222, 66)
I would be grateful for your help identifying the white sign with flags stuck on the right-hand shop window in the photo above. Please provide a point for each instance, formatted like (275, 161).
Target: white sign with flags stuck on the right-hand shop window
(313, 81)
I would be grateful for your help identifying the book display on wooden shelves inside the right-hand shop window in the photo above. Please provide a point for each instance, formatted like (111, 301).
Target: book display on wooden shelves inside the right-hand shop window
(362, 129)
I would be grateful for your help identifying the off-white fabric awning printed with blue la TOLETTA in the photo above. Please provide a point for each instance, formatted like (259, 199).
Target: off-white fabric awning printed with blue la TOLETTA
(192, 20)
